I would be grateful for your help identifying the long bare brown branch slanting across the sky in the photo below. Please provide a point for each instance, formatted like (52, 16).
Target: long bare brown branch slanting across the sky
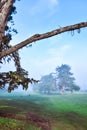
(37, 37)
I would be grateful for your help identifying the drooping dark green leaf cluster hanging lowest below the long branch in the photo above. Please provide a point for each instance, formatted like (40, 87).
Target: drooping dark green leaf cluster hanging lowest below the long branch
(14, 80)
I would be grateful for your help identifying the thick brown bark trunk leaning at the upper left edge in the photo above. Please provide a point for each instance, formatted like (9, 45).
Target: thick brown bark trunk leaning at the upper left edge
(5, 7)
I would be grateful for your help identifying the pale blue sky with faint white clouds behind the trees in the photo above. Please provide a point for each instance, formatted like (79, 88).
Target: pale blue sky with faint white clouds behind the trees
(39, 16)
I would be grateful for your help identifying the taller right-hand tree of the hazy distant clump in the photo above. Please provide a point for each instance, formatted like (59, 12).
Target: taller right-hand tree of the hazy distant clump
(65, 78)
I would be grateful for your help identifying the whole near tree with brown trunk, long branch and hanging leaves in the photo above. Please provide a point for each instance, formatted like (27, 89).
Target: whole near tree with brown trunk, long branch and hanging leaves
(8, 52)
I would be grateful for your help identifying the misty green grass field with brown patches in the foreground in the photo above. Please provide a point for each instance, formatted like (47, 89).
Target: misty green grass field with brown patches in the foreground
(39, 112)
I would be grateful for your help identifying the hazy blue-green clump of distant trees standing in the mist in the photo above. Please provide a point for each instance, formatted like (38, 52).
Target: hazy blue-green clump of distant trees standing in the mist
(59, 82)
